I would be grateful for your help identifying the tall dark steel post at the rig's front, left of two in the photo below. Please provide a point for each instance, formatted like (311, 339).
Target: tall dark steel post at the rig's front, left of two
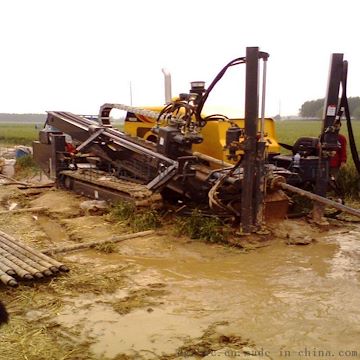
(248, 205)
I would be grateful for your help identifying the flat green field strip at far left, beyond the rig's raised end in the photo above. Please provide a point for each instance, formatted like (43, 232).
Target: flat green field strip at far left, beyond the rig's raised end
(18, 134)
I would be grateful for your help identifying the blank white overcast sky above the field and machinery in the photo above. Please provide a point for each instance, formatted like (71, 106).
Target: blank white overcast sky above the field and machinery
(75, 55)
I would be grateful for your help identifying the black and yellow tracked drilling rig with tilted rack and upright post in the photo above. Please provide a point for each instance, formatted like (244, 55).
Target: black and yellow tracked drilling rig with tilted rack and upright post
(174, 152)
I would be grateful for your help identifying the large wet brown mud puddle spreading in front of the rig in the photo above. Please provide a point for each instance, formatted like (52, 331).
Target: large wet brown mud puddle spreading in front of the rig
(279, 298)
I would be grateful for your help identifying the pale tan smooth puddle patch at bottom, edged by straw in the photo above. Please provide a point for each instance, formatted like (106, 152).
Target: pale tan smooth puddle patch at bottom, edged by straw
(140, 332)
